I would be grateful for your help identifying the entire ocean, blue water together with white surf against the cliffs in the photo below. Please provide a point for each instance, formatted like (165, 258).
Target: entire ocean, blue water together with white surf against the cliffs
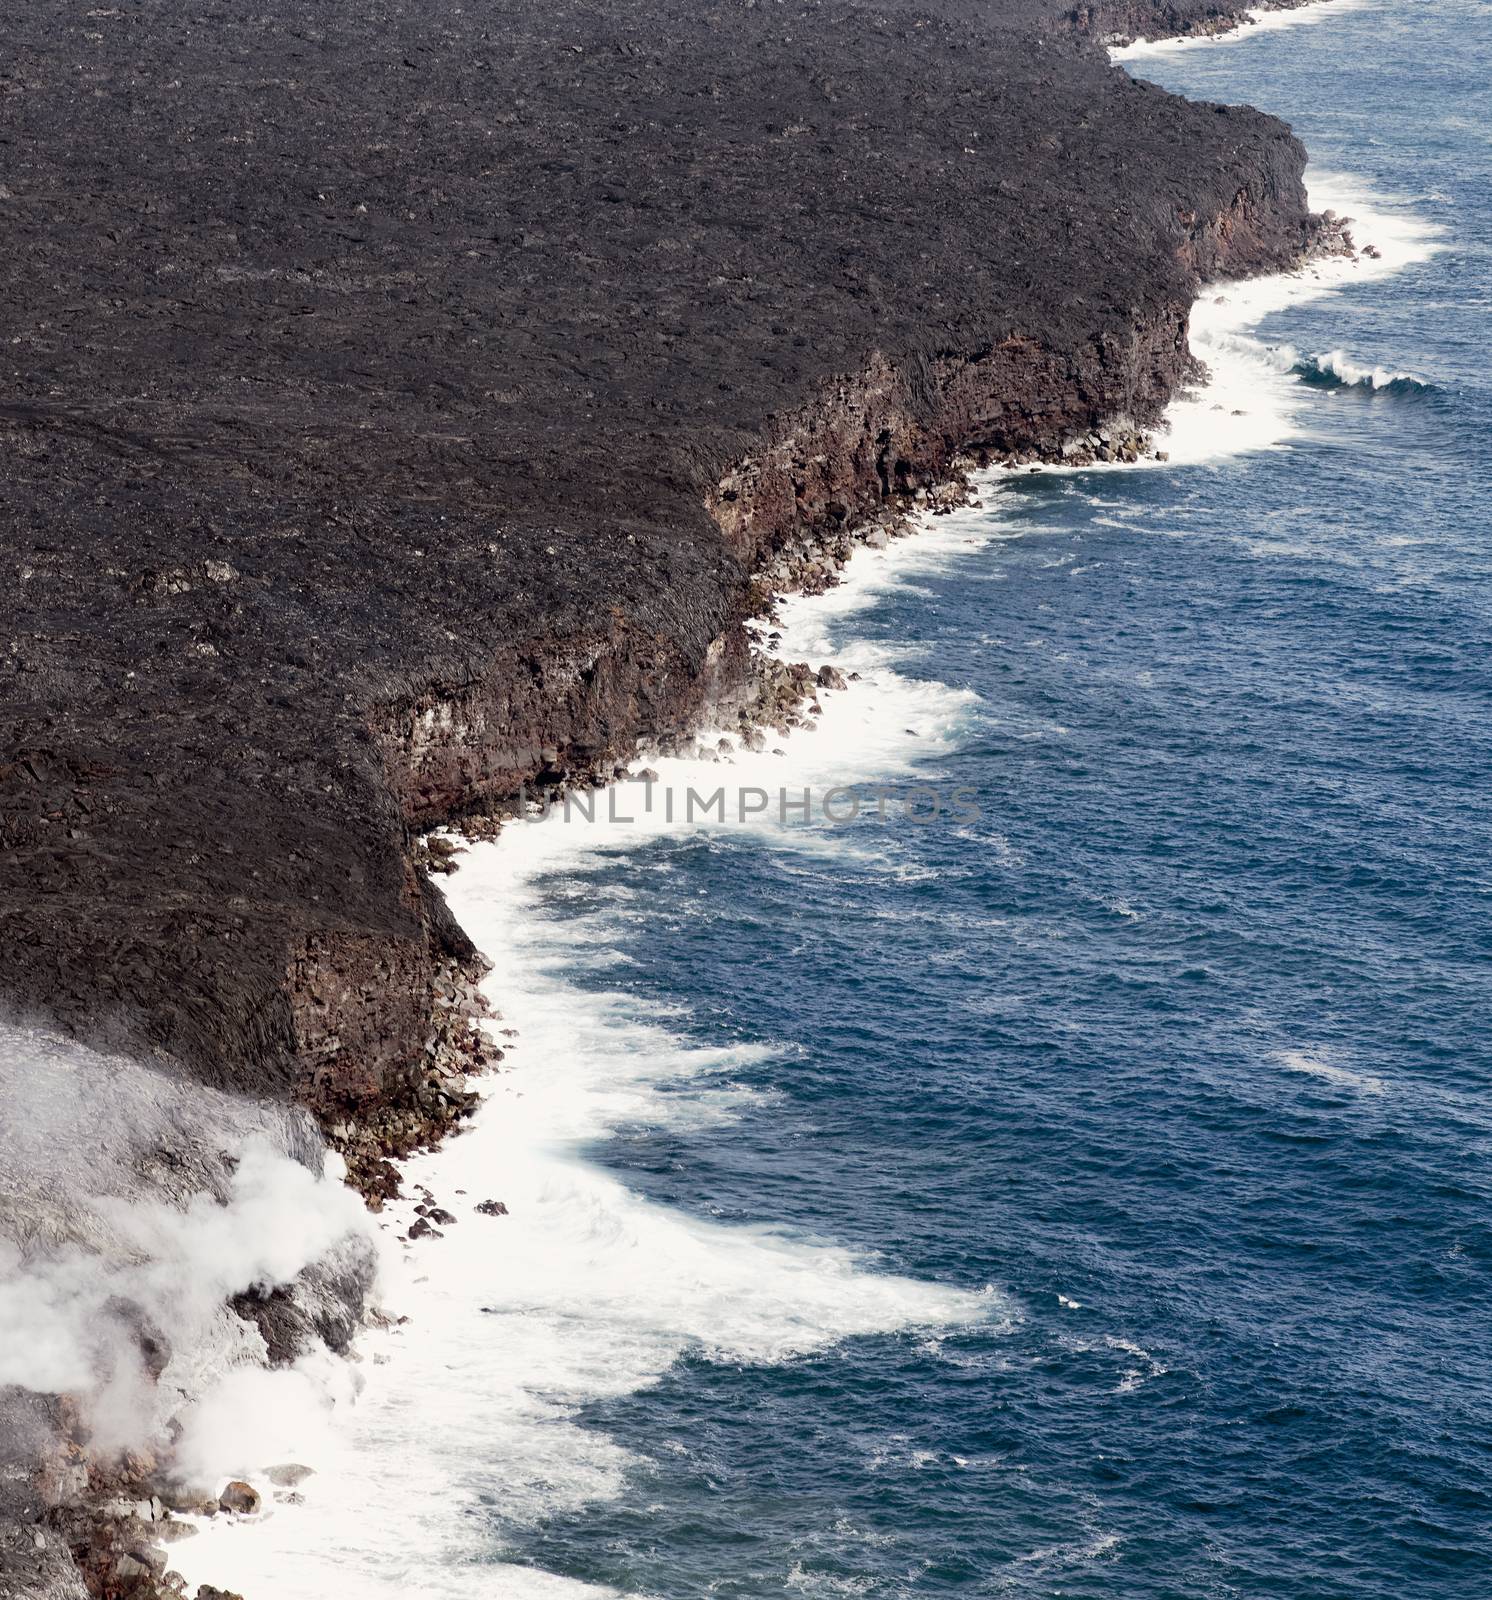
(1075, 1182)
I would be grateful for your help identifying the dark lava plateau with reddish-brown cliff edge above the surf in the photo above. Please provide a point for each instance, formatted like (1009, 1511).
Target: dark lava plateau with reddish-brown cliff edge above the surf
(398, 402)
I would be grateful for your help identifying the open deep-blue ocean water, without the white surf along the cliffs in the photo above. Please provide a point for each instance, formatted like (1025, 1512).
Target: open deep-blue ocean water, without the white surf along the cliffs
(1182, 1047)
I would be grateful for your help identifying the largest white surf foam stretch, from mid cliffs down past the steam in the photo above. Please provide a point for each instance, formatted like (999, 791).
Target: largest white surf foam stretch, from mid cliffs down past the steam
(465, 1430)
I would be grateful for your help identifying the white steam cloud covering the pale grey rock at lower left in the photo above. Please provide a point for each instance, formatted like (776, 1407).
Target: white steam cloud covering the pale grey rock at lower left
(124, 1238)
